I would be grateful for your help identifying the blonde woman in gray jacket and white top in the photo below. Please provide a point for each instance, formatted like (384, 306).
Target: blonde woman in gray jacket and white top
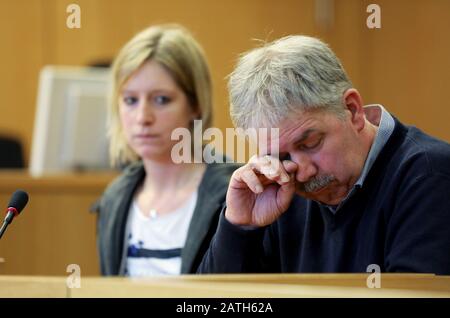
(158, 217)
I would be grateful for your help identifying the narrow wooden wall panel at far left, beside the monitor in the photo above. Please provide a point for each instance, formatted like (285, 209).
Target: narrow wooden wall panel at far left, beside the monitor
(20, 61)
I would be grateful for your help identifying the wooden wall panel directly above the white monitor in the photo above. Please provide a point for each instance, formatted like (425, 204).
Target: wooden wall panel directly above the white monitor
(105, 26)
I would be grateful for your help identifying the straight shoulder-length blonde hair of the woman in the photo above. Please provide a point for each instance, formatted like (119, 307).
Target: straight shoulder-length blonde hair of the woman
(174, 48)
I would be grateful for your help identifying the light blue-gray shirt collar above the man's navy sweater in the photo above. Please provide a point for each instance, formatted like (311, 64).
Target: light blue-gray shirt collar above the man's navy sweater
(385, 129)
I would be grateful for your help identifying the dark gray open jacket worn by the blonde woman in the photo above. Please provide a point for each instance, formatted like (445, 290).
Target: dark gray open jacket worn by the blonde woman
(113, 207)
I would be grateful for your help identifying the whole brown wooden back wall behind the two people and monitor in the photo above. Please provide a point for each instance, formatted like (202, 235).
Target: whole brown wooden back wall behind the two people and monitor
(403, 65)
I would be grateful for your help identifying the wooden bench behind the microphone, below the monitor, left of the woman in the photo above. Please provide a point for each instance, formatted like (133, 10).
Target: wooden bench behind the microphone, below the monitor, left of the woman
(56, 228)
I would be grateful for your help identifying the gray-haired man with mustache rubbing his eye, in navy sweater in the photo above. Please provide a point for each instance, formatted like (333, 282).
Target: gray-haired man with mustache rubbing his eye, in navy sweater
(348, 187)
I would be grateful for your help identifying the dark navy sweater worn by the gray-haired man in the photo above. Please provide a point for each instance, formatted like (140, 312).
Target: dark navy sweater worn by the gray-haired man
(399, 220)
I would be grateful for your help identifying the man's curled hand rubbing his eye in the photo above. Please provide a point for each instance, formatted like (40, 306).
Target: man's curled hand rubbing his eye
(260, 191)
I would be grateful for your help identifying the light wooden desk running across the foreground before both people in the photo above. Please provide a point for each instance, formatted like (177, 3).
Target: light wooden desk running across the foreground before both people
(232, 286)
